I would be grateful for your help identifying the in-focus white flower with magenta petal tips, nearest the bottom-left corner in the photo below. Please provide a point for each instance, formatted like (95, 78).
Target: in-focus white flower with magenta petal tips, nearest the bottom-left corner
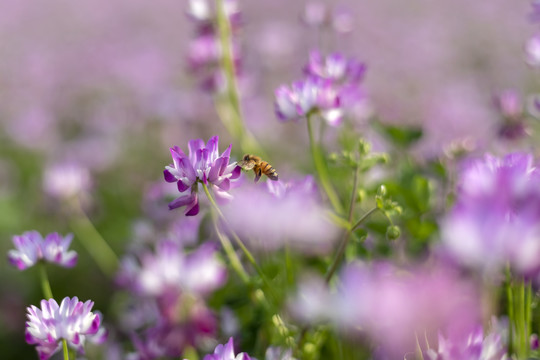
(72, 321)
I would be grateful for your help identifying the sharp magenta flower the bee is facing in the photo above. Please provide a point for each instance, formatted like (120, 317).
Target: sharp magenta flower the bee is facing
(202, 165)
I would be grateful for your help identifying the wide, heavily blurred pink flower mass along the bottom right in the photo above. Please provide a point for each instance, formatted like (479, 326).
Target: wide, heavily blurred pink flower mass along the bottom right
(391, 304)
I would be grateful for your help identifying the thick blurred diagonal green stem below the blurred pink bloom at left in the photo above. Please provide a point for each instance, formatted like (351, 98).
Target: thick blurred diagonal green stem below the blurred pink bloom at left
(93, 242)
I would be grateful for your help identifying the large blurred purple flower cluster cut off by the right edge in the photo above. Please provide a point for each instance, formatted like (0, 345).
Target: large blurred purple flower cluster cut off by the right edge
(496, 218)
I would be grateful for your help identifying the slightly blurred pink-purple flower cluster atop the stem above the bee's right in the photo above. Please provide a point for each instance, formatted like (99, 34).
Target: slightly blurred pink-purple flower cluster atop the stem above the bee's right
(331, 86)
